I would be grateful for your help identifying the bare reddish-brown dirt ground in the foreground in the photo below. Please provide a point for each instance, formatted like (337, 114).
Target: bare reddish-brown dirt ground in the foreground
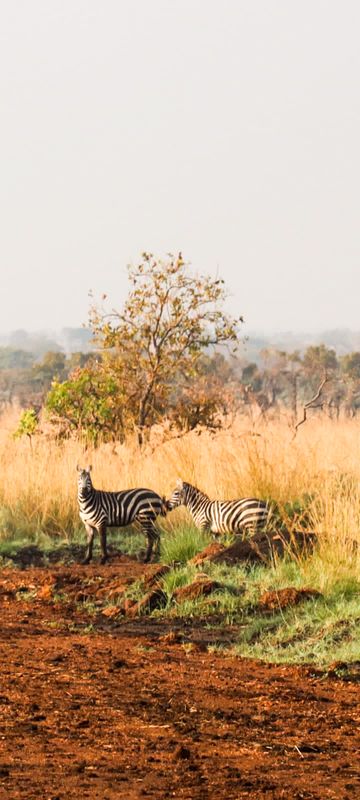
(138, 708)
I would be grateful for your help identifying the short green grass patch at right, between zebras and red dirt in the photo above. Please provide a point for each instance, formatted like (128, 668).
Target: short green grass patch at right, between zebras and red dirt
(319, 630)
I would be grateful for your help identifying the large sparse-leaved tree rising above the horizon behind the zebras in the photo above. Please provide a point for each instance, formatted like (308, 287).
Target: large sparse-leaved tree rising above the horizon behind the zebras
(152, 348)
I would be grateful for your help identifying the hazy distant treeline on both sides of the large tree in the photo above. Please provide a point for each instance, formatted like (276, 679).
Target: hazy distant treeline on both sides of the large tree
(278, 379)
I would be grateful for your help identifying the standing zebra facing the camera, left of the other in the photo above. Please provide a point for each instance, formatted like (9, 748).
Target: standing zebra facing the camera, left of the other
(99, 510)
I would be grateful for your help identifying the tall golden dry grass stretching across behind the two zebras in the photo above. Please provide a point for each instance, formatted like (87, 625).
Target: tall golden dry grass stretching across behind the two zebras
(321, 467)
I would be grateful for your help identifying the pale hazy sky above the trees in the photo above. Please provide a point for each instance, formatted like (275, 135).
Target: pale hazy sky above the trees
(228, 129)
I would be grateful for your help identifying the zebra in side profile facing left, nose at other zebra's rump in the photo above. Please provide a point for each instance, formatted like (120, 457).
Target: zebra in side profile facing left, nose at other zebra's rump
(232, 516)
